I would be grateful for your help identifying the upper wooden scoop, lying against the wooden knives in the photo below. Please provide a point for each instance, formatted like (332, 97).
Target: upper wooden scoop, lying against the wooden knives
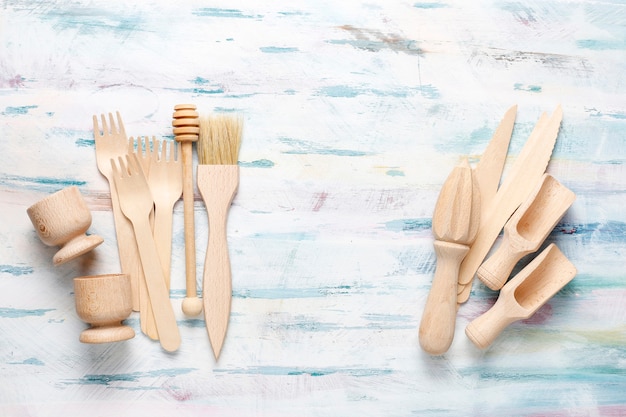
(527, 229)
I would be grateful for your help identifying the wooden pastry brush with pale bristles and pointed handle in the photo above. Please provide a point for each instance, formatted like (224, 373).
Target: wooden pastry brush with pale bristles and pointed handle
(218, 179)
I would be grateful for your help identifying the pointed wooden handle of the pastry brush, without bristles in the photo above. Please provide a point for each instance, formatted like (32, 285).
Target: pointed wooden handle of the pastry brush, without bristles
(217, 185)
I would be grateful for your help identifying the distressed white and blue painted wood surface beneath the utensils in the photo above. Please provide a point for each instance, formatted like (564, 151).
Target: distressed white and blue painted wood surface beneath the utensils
(355, 112)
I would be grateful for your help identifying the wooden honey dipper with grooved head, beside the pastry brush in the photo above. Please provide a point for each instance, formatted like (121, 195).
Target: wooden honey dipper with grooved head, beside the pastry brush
(186, 130)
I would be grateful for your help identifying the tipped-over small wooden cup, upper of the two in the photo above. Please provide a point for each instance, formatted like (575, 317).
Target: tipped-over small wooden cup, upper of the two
(61, 219)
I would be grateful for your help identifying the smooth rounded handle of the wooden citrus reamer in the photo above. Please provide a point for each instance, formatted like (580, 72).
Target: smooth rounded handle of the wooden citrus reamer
(438, 320)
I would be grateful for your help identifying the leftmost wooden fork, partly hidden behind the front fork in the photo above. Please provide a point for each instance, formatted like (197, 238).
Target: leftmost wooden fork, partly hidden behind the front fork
(111, 143)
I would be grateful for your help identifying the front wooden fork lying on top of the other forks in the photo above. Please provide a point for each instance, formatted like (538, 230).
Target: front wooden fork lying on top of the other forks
(136, 203)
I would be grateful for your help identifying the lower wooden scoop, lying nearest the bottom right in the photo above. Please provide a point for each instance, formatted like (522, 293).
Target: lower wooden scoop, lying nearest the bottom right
(521, 297)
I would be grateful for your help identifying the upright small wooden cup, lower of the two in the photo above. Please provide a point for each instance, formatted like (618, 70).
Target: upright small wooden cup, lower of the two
(104, 301)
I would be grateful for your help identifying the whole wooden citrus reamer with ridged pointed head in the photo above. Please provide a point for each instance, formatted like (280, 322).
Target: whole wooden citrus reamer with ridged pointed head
(455, 224)
